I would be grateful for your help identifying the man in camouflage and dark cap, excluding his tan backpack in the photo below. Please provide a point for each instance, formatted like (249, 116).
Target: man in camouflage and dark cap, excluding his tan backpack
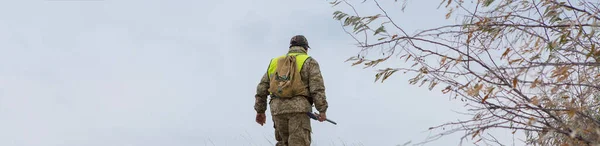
(291, 123)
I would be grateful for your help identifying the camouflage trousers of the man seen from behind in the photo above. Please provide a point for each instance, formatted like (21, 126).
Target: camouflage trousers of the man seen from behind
(292, 129)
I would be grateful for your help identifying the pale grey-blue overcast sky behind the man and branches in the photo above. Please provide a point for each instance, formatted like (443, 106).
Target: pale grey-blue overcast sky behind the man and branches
(184, 73)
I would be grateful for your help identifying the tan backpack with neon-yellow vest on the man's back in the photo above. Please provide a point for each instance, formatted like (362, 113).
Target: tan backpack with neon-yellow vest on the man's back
(284, 76)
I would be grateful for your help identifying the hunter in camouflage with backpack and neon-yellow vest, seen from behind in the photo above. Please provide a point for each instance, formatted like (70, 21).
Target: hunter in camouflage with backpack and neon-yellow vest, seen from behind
(294, 83)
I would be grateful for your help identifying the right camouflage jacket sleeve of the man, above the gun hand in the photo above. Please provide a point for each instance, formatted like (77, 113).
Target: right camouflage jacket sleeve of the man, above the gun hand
(317, 85)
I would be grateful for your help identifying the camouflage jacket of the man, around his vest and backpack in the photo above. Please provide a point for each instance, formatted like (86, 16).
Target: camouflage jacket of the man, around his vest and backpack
(310, 75)
